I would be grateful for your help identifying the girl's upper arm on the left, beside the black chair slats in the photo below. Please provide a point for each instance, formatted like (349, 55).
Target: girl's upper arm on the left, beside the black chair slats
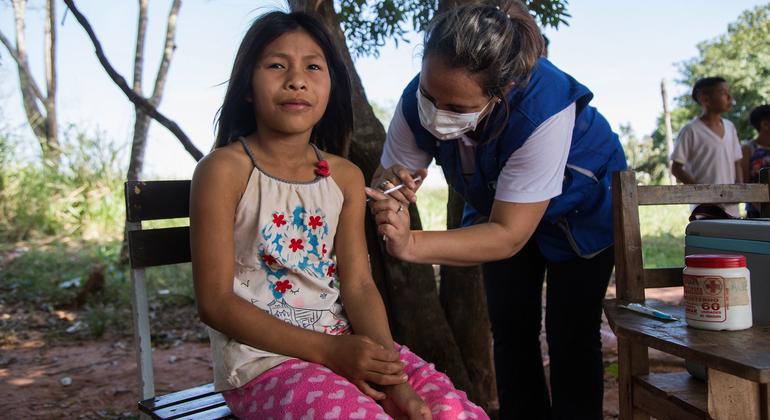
(213, 199)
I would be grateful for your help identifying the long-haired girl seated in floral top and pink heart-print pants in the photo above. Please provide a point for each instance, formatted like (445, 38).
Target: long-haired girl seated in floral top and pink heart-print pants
(278, 247)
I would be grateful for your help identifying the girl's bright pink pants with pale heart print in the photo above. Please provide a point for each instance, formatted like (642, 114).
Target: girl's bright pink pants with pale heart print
(299, 390)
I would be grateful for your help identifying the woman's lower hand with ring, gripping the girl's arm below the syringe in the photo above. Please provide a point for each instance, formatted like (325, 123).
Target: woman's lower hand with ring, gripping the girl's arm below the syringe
(392, 218)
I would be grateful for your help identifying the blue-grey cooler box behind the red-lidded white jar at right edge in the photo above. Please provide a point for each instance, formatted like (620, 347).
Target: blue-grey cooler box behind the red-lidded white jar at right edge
(746, 237)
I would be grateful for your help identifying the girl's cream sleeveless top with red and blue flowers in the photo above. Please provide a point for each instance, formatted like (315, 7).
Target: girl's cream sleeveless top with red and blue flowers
(284, 265)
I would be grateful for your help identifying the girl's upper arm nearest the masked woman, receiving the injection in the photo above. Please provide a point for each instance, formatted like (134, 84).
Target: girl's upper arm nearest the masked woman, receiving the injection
(350, 241)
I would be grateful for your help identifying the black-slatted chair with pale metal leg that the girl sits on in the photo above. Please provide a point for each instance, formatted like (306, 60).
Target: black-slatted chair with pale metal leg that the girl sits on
(157, 200)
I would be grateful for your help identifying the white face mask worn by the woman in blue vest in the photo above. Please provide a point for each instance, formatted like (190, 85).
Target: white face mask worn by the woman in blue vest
(446, 125)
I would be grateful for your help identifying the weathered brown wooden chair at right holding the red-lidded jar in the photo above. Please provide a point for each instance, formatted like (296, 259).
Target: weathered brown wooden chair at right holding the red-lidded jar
(737, 362)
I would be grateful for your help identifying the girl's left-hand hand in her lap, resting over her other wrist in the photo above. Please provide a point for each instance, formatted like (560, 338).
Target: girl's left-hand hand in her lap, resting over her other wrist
(360, 360)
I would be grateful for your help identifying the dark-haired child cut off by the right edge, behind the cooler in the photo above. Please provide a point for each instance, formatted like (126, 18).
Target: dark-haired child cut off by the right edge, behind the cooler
(756, 153)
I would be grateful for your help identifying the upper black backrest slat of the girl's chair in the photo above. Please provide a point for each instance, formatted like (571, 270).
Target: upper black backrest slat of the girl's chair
(156, 200)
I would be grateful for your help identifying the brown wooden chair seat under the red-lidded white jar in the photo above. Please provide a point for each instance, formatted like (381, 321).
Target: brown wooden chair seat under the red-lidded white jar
(741, 353)
